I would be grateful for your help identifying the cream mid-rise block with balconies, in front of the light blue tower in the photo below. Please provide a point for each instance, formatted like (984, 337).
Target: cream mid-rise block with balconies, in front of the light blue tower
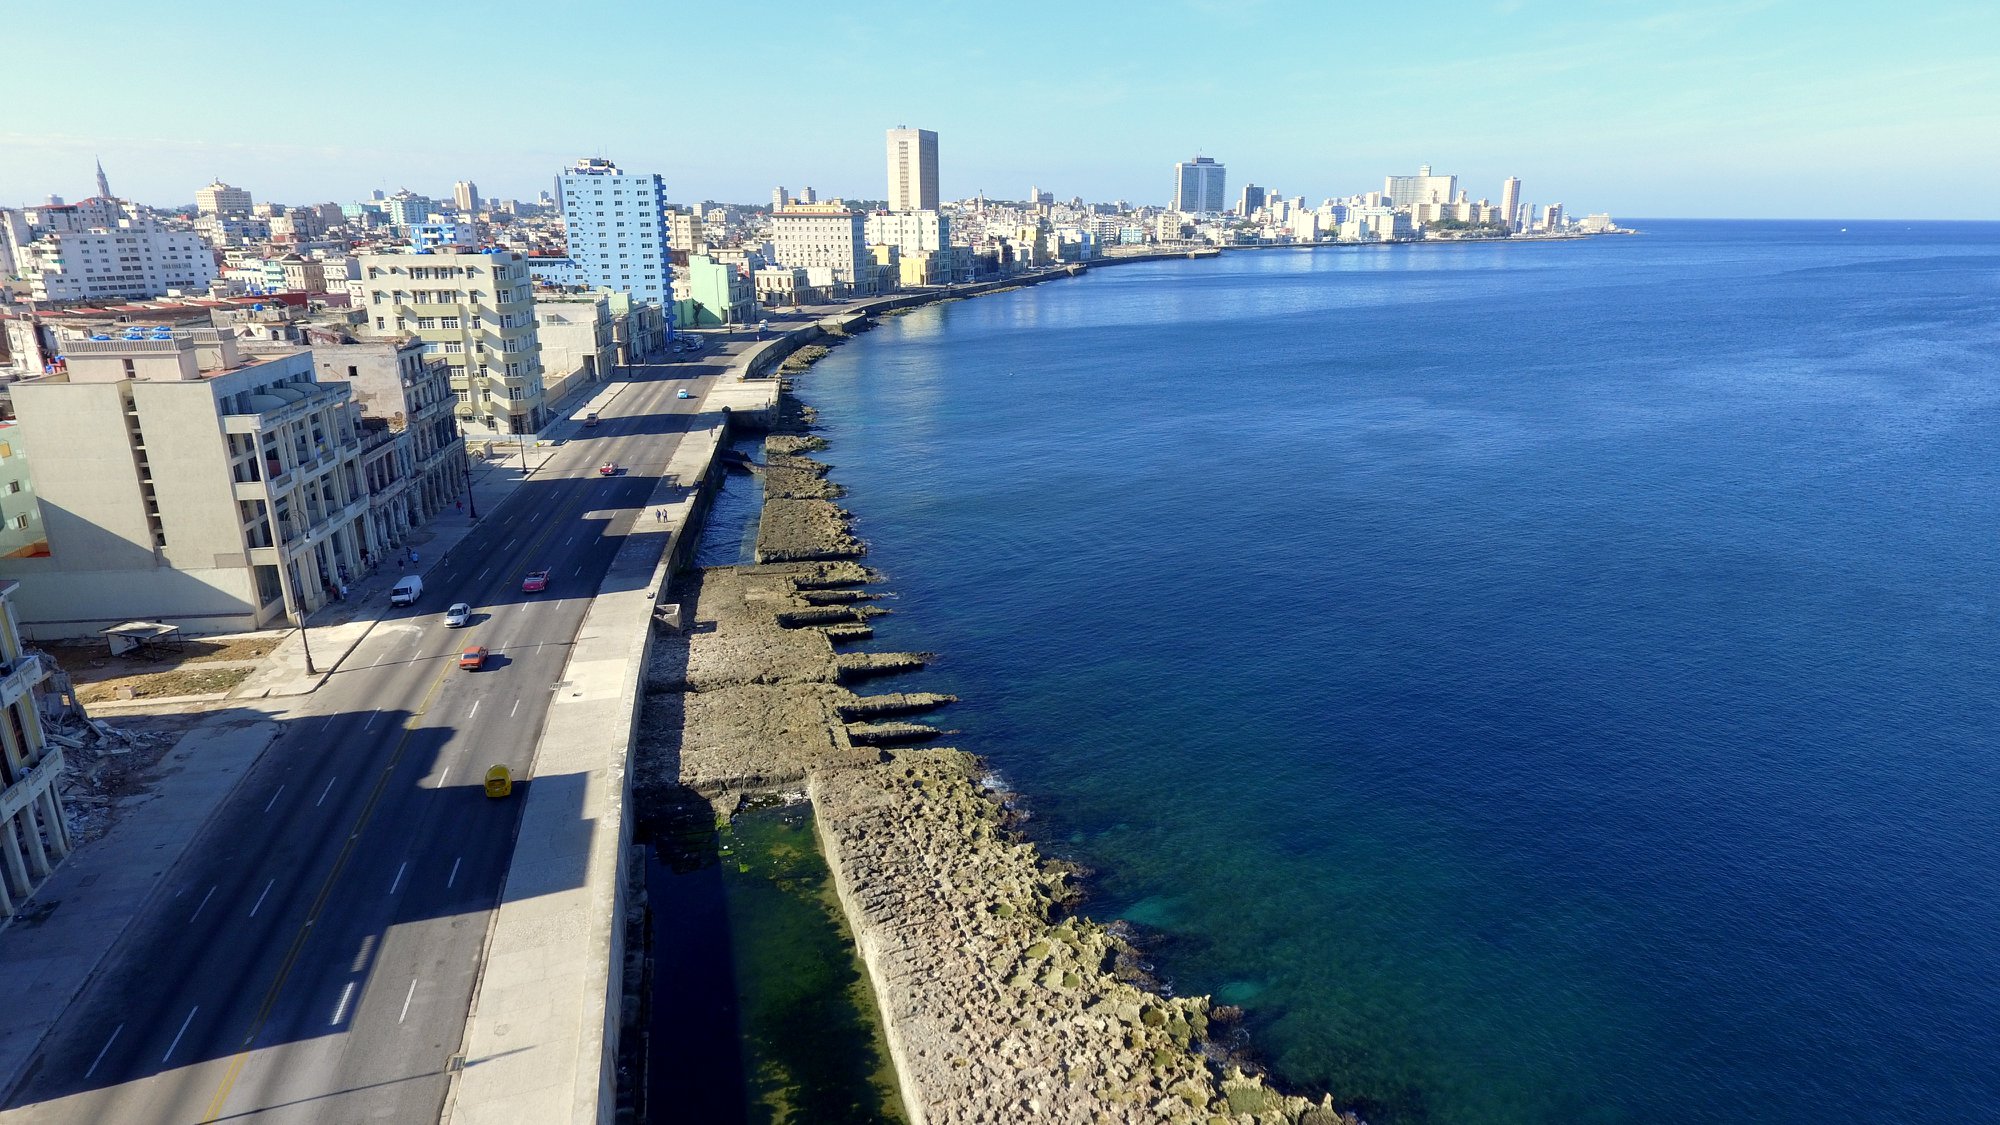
(475, 311)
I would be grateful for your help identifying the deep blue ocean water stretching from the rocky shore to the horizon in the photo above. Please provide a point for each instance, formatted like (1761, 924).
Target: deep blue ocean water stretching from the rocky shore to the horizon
(1541, 684)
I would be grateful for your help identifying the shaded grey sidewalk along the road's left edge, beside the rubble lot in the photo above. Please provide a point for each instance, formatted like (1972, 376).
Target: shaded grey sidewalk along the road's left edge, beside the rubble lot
(85, 908)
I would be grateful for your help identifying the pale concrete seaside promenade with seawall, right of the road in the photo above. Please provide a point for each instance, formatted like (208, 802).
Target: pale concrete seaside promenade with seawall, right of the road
(543, 1036)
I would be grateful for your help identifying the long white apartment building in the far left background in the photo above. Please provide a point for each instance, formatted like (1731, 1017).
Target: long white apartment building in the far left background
(133, 259)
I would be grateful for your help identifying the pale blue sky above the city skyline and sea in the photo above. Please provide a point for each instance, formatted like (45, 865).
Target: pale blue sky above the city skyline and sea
(1707, 109)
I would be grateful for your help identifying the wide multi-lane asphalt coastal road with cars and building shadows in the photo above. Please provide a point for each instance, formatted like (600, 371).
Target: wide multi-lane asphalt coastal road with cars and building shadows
(313, 956)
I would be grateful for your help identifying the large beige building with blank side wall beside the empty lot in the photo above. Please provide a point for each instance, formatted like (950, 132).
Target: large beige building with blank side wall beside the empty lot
(187, 481)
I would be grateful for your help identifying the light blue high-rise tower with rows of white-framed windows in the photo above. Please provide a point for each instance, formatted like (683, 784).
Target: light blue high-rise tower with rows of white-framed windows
(619, 229)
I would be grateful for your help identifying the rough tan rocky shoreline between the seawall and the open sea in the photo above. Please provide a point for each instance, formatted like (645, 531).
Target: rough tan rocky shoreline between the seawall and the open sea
(997, 1004)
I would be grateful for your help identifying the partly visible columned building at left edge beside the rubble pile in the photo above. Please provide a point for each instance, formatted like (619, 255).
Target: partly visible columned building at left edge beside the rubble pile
(33, 834)
